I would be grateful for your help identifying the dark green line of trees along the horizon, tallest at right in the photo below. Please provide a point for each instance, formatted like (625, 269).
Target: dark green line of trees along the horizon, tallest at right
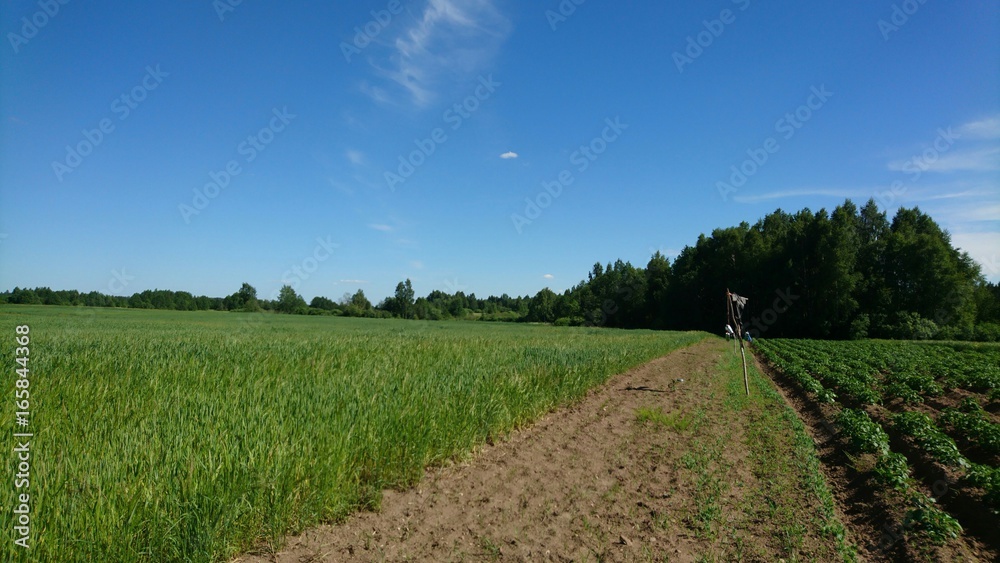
(847, 274)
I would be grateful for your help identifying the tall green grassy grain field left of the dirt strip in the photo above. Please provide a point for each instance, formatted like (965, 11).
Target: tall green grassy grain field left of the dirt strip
(168, 436)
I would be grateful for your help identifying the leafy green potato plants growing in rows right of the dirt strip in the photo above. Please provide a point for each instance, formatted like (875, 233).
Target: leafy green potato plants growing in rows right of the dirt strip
(917, 385)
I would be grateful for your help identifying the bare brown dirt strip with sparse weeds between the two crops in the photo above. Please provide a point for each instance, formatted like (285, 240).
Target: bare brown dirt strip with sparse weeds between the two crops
(588, 482)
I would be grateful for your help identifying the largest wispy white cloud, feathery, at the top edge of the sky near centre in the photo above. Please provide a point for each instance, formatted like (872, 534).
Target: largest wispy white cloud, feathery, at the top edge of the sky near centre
(448, 39)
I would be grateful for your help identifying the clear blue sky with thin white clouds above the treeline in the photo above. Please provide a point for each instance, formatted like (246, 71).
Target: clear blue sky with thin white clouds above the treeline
(488, 146)
